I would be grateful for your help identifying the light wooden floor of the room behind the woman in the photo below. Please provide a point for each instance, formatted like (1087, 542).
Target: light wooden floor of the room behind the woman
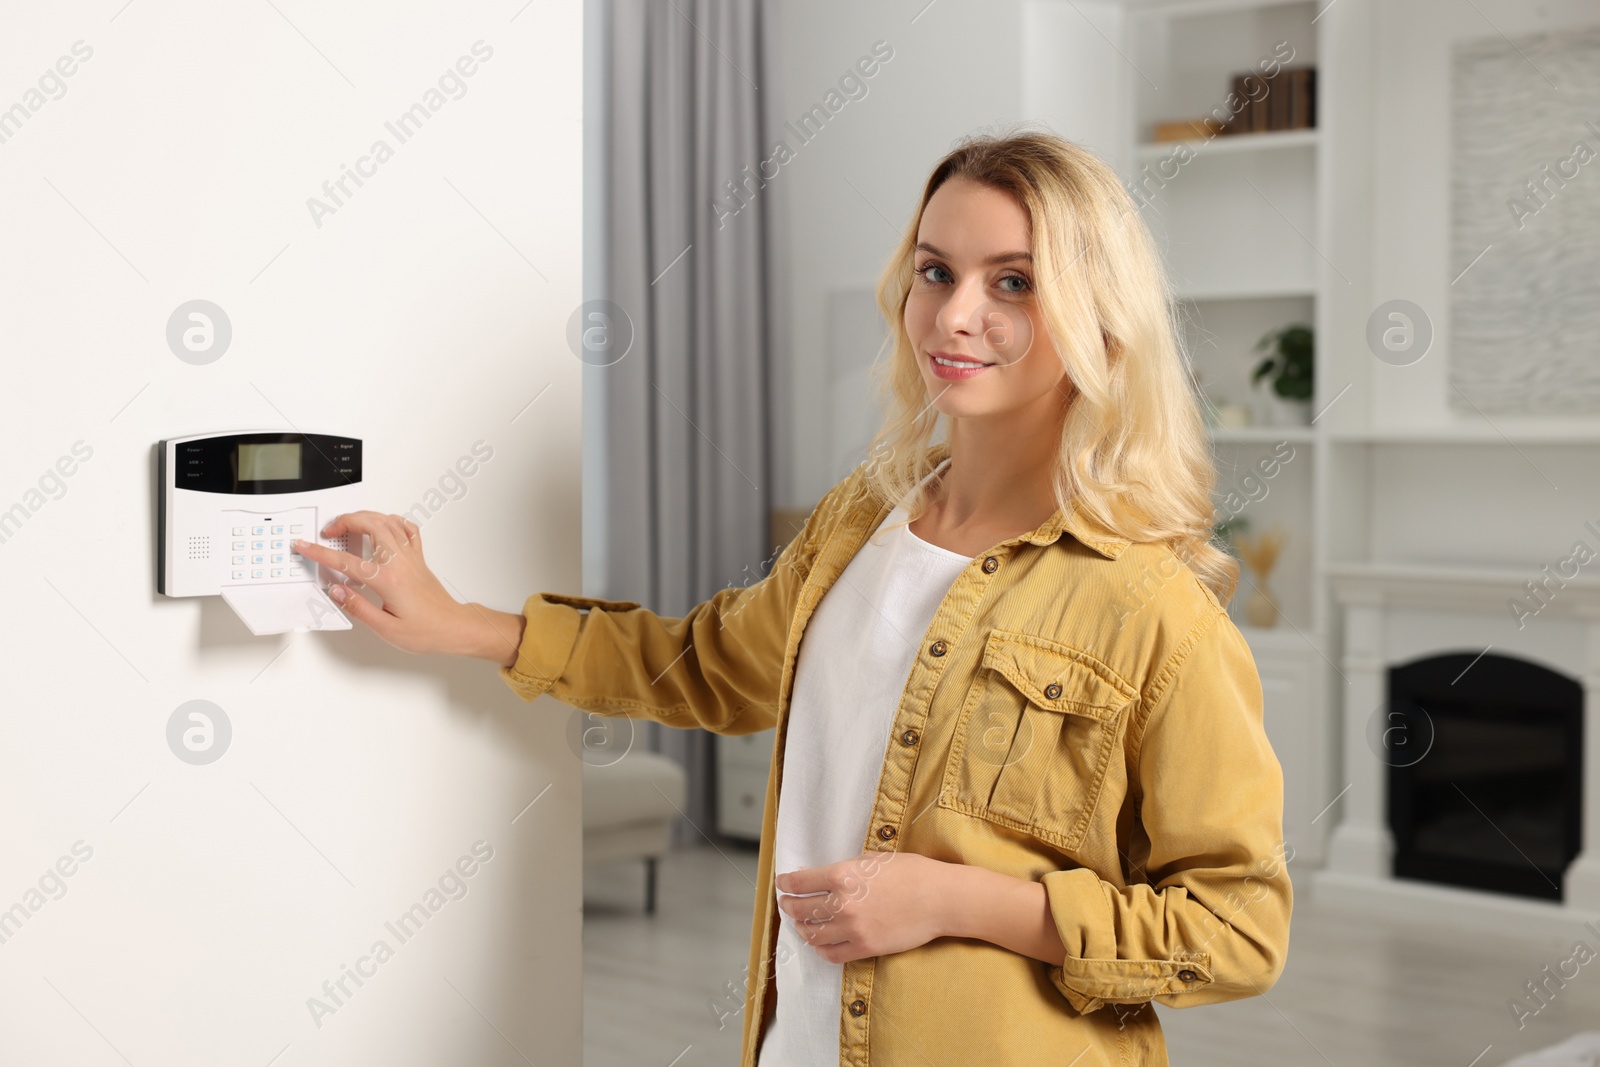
(1356, 993)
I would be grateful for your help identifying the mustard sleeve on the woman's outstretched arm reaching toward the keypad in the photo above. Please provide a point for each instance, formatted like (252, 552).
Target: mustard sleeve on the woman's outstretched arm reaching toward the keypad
(716, 668)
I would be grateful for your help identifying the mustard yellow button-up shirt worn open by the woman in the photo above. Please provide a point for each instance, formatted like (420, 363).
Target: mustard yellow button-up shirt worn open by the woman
(1082, 714)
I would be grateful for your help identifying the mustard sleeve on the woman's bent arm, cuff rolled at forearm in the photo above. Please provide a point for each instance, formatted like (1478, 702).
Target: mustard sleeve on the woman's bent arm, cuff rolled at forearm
(1212, 921)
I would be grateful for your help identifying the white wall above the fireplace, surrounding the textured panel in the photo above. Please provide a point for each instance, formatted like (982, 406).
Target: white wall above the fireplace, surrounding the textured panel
(1481, 505)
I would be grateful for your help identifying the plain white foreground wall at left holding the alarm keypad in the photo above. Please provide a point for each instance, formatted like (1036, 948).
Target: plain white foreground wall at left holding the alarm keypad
(423, 316)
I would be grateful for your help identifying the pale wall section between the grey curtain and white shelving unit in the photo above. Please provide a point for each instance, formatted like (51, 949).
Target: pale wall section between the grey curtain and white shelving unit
(854, 188)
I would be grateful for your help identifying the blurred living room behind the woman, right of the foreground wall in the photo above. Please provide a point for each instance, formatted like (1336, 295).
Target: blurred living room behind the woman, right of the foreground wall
(1390, 282)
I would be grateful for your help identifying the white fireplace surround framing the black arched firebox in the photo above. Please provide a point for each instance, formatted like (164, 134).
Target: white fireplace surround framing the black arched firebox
(1398, 612)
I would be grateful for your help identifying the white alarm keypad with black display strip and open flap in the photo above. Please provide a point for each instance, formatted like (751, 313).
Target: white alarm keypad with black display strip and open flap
(231, 510)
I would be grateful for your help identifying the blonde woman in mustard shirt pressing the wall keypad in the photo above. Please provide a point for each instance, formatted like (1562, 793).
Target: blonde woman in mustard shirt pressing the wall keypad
(1022, 786)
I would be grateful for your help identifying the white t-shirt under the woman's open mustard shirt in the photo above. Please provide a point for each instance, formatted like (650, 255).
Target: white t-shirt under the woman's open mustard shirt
(855, 658)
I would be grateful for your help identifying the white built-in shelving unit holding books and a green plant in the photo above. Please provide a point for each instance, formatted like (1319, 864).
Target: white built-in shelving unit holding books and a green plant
(1241, 225)
